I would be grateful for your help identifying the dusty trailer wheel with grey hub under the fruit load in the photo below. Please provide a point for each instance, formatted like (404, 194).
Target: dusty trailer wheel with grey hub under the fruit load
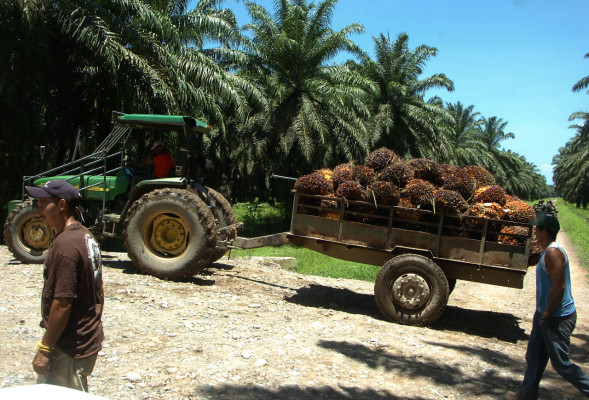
(411, 289)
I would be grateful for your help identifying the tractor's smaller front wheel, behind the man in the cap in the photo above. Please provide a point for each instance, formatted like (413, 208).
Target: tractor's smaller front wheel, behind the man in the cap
(27, 235)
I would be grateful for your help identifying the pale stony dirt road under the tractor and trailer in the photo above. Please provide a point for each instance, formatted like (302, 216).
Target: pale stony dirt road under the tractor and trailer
(248, 329)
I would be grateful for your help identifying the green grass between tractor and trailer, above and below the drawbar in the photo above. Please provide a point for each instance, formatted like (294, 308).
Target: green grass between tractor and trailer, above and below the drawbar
(263, 219)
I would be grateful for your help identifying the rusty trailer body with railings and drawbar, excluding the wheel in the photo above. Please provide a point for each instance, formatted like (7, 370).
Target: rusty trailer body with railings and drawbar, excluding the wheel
(464, 247)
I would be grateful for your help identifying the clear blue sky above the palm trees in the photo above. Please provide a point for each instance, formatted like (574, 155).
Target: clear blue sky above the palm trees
(514, 59)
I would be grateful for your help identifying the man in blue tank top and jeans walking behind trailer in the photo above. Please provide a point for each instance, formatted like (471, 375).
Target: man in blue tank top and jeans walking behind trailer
(555, 317)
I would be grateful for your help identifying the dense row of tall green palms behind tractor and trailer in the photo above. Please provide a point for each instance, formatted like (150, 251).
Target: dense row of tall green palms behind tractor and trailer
(276, 99)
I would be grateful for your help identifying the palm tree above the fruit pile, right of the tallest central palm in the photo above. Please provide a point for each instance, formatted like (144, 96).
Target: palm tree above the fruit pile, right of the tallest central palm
(402, 119)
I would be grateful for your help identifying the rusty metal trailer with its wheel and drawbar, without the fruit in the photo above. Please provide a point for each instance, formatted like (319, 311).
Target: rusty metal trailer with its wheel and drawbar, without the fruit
(422, 252)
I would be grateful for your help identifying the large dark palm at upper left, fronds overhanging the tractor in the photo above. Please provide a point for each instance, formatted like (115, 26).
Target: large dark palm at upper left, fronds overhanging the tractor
(69, 63)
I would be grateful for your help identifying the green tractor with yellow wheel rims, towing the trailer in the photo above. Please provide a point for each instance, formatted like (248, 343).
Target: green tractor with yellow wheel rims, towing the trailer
(173, 227)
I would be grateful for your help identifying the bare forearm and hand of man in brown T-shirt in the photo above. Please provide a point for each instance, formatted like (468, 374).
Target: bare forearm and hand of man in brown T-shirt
(59, 316)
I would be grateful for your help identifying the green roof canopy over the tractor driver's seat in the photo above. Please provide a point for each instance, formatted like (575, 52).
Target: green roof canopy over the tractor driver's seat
(162, 122)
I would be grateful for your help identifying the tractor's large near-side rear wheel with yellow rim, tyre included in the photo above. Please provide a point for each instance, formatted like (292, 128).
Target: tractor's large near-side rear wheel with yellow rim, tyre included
(170, 233)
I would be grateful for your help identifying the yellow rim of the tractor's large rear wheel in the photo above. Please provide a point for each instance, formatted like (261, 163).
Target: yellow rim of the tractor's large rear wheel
(169, 234)
